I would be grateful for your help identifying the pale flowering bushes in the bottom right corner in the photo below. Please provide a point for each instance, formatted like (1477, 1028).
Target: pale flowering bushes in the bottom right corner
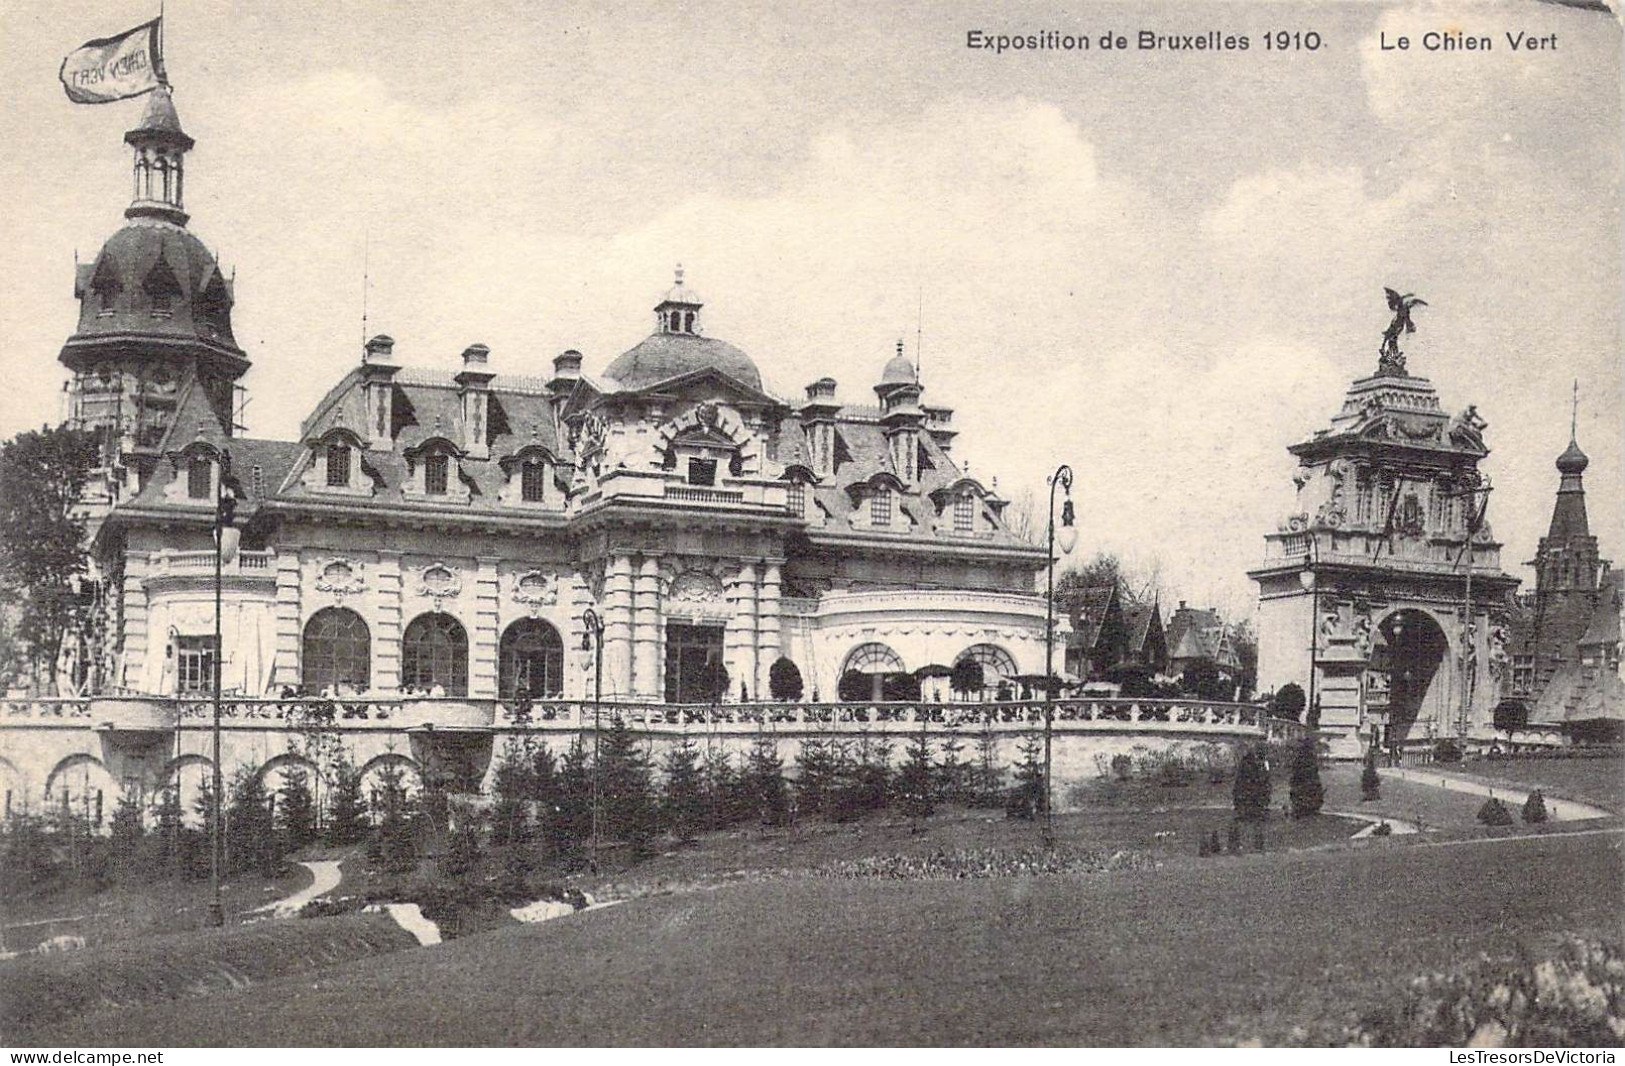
(1575, 1000)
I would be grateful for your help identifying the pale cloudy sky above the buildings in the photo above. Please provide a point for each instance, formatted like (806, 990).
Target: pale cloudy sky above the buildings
(1158, 267)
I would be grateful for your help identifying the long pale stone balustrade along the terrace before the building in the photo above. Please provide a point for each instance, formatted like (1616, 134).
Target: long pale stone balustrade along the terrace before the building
(363, 713)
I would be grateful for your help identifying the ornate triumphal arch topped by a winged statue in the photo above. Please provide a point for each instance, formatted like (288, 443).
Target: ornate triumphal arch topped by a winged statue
(1382, 592)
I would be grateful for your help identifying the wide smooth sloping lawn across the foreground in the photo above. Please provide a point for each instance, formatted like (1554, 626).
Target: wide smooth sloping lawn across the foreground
(1200, 951)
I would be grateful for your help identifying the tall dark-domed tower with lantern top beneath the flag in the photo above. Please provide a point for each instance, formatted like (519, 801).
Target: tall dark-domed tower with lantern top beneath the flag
(155, 314)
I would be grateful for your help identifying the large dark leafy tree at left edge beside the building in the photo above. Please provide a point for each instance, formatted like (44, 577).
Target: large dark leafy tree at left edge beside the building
(43, 553)
